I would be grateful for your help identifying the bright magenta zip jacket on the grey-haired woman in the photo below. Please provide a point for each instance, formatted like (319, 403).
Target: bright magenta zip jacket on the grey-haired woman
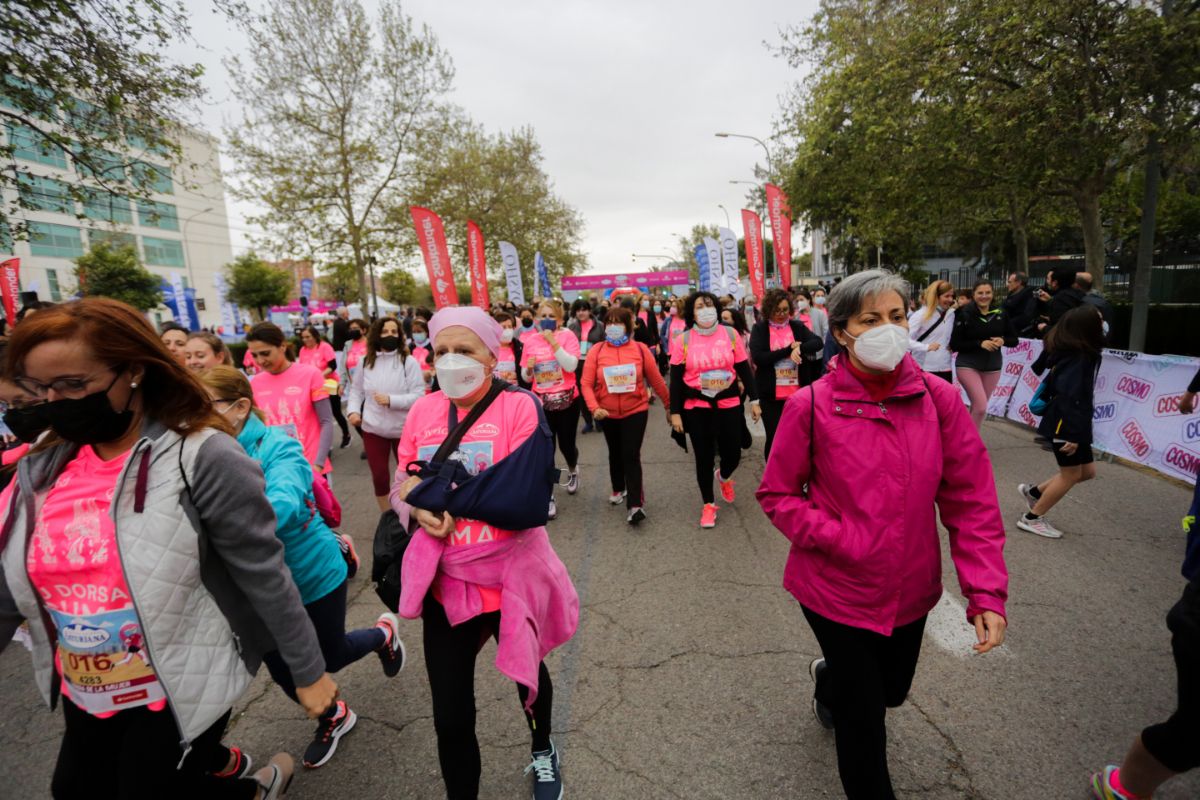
(866, 549)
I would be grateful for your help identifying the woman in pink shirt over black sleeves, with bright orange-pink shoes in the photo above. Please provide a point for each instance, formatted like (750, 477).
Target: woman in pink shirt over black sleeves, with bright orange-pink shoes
(707, 366)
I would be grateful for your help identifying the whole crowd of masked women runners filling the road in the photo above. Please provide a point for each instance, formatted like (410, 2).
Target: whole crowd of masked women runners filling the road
(171, 516)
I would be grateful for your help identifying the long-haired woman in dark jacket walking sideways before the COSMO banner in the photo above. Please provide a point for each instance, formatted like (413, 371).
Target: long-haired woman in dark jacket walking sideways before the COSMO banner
(1073, 354)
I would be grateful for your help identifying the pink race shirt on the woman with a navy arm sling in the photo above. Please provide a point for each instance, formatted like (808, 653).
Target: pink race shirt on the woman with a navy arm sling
(502, 429)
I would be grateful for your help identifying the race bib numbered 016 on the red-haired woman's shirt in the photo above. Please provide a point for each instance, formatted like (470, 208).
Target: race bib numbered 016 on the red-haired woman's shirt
(105, 661)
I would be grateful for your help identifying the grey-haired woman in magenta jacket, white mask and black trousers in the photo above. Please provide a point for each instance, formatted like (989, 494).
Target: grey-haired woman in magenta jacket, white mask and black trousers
(866, 561)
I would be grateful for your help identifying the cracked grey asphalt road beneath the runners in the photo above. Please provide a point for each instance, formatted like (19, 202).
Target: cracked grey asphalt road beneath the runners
(689, 675)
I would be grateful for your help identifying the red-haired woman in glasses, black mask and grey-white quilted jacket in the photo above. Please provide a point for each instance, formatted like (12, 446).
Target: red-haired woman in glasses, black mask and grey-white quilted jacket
(139, 488)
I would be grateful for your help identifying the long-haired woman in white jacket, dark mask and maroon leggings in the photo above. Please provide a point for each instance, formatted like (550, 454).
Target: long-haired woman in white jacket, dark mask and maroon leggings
(387, 384)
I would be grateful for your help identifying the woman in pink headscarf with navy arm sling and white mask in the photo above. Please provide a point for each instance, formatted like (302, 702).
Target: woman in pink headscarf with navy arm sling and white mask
(461, 610)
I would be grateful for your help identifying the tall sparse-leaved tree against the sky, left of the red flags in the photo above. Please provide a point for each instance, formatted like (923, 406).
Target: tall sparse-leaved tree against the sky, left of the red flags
(335, 105)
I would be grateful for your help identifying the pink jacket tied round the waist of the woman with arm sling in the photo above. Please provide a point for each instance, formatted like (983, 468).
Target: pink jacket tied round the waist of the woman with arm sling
(539, 607)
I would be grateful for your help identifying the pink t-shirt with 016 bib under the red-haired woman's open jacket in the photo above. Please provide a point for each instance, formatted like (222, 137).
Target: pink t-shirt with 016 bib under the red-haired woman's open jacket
(74, 564)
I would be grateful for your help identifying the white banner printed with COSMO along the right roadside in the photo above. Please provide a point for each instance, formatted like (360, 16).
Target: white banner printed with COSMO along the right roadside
(1137, 406)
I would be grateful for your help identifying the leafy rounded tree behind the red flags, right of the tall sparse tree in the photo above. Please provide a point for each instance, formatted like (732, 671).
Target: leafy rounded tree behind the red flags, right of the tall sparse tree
(499, 183)
